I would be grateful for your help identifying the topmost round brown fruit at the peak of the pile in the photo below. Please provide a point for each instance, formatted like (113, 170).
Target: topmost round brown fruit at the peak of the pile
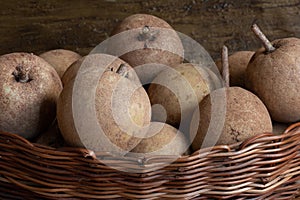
(143, 39)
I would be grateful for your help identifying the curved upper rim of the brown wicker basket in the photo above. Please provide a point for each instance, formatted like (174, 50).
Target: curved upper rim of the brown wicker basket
(230, 150)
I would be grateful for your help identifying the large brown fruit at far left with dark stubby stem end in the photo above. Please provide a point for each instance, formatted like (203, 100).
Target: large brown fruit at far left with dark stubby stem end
(29, 89)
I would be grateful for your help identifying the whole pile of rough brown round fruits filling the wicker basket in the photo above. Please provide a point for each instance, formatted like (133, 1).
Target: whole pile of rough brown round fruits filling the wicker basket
(142, 96)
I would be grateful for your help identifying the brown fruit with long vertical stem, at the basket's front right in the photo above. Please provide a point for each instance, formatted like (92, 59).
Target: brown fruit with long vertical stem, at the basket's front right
(245, 115)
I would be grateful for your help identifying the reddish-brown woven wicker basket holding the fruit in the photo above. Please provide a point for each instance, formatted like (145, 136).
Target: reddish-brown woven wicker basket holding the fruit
(266, 166)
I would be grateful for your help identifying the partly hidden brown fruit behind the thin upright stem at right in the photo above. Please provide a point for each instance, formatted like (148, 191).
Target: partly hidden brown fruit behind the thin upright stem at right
(238, 62)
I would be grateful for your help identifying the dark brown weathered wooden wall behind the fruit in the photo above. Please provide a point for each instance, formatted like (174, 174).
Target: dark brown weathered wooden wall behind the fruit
(80, 25)
